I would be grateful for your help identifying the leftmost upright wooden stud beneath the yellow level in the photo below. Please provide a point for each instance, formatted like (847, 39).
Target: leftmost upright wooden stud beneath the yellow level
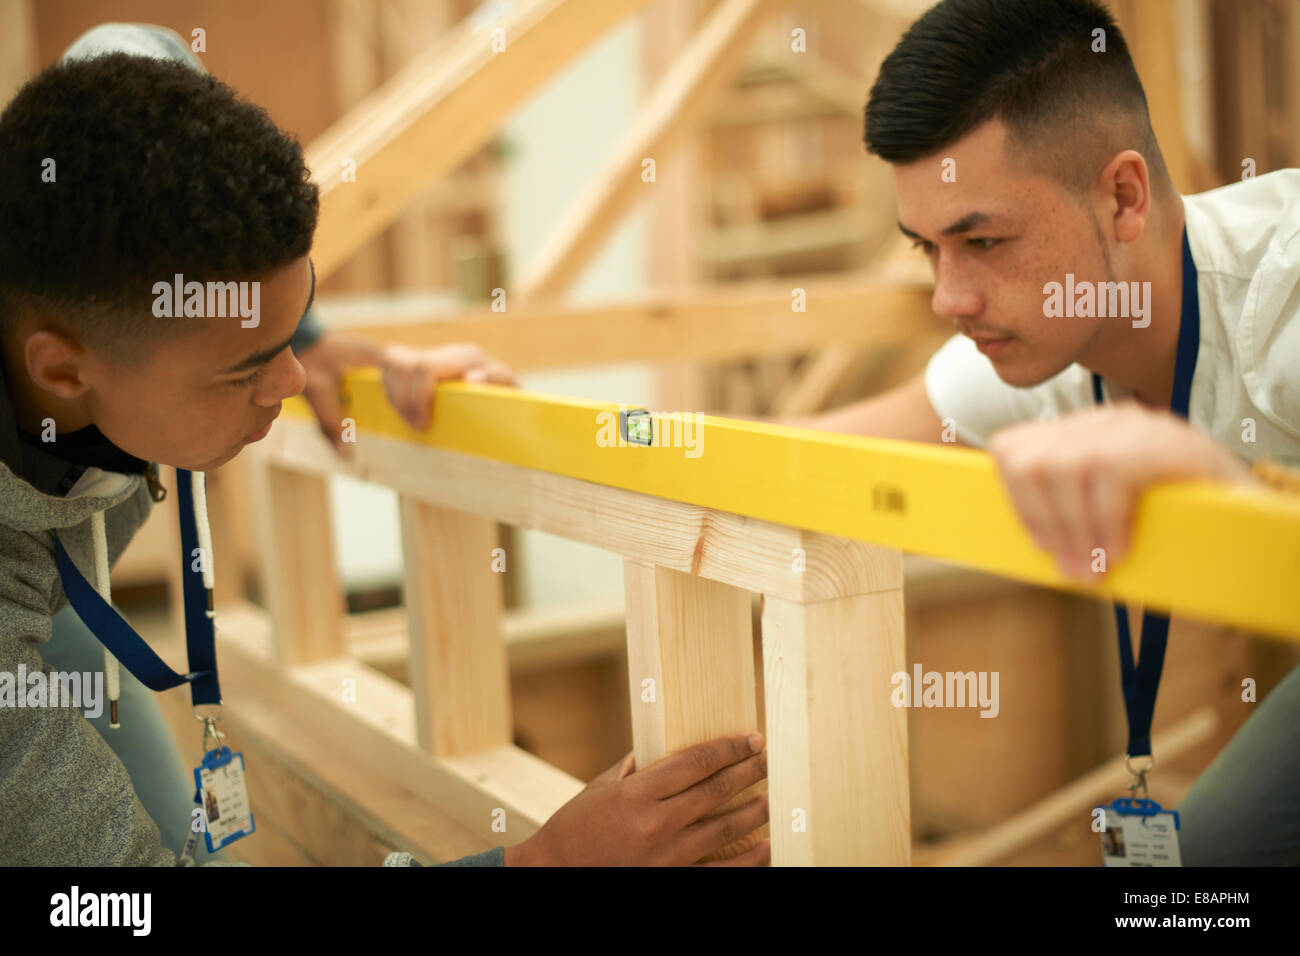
(300, 579)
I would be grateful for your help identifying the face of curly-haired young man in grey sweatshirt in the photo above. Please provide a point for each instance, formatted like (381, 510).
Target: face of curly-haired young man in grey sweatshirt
(198, 399)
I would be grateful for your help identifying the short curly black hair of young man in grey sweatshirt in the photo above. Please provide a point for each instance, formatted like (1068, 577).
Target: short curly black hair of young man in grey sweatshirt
(158, 170)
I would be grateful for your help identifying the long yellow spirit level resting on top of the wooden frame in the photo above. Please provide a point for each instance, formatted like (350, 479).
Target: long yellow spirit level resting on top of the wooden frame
(1221, 553)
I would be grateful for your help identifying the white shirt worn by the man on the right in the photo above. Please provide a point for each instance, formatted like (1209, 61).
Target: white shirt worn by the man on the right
(1246, 244)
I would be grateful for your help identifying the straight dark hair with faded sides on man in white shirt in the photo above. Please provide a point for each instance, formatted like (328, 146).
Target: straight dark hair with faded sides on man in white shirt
(1028, 63)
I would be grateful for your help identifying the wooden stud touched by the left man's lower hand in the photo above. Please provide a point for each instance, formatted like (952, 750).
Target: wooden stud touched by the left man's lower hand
(691, 668)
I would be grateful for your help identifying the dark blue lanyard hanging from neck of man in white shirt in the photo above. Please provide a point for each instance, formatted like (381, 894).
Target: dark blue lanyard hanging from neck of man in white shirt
(1142, 682)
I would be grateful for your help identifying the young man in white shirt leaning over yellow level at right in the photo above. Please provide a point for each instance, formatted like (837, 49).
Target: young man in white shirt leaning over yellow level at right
(1113, 332)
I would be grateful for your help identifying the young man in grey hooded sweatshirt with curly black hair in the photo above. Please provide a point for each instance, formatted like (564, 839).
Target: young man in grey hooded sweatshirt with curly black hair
(125, 176)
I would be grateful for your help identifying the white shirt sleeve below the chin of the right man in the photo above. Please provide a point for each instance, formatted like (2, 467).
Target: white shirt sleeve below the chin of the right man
(964, 387)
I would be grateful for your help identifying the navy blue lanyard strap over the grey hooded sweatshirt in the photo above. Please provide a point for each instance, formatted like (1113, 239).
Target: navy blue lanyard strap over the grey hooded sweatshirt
(128, 647)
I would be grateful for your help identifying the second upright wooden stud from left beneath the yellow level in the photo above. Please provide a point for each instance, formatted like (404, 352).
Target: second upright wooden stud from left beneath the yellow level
(460, 673)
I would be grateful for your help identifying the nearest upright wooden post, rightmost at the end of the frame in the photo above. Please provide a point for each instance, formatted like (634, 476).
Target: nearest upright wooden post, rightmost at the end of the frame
(838, 750)
